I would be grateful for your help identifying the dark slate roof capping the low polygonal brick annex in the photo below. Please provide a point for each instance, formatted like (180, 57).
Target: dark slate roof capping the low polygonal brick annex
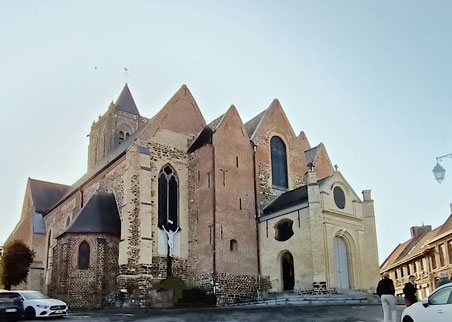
(99, 215)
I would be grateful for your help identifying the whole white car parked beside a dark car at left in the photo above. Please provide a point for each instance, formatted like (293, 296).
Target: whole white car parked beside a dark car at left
(37, 304)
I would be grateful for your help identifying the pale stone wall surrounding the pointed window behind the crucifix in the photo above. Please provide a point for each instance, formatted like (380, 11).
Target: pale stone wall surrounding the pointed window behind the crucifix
(145, 269)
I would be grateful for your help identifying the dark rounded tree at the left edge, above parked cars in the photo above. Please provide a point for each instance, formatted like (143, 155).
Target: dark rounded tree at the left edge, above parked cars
(16, 261)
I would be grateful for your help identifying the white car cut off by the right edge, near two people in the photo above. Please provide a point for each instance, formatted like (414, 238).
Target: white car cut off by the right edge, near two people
(437, 307)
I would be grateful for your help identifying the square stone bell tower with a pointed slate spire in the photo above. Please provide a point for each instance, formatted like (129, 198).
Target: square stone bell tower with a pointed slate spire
(113, 128)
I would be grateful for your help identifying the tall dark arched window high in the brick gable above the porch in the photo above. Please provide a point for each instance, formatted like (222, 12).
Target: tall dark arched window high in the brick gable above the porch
(279, 163)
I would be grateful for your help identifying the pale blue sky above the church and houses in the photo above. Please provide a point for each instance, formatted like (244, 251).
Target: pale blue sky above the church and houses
(370, 79)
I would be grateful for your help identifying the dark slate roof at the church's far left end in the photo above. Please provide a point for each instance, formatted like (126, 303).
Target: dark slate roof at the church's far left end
(45, 194)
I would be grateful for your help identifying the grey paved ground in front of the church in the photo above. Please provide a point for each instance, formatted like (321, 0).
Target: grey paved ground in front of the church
(346, 313)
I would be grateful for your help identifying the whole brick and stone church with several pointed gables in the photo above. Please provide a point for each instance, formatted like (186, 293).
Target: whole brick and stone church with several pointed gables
(234, 209)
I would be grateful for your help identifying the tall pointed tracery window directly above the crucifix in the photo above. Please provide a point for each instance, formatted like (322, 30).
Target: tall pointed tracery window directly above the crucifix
(168, 199)
